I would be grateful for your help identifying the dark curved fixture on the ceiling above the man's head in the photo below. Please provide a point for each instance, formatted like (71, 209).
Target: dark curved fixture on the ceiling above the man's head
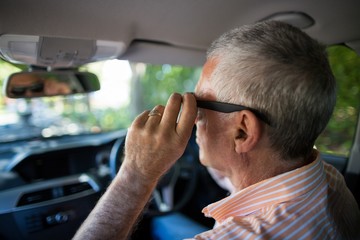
(297, 19)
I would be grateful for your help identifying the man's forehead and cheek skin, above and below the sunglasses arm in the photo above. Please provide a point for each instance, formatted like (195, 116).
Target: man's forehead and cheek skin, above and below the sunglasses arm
(213, 135)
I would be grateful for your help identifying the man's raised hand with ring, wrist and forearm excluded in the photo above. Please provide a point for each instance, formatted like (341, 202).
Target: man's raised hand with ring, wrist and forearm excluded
(155, 141)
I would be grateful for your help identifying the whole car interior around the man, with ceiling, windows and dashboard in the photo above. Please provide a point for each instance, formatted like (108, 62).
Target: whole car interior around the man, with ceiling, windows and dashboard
(74, 74)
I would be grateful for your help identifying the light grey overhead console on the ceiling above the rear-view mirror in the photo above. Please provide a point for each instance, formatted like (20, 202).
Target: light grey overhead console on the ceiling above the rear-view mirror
(54, 52)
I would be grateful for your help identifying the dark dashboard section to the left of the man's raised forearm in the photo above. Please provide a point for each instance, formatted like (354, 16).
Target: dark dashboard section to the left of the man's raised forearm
(49, 186)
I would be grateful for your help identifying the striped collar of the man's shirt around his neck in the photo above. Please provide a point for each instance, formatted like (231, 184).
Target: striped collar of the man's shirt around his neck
(281, 188)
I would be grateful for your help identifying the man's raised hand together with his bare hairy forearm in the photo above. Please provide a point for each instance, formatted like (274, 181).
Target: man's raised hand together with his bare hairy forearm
(154, 142)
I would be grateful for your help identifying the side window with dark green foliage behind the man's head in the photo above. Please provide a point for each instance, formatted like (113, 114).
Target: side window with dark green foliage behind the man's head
(338, 137)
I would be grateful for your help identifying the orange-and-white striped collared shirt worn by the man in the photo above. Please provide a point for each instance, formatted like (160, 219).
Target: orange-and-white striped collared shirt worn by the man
(311, 202)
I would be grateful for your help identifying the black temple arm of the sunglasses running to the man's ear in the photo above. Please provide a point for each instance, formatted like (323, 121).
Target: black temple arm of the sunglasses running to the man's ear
(229, 108)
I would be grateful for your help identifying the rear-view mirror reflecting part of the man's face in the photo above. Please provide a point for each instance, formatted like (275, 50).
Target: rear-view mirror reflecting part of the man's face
(42, 84)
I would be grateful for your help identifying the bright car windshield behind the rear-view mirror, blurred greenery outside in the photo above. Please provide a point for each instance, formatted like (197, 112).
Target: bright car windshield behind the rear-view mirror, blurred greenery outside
(126, 90)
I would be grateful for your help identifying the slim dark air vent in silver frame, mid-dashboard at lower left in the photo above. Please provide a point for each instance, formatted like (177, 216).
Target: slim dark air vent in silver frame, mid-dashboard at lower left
(53, 193)
